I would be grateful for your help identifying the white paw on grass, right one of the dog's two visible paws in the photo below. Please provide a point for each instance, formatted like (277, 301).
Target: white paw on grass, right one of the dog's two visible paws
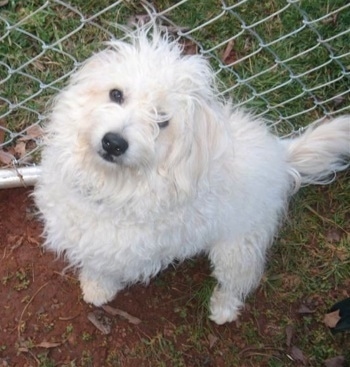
(224, 306)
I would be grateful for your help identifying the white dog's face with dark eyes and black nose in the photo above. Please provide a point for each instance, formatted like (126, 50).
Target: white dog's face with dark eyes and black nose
(128, 108)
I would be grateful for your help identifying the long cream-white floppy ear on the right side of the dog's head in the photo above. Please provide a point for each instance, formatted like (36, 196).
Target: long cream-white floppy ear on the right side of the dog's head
(196, 149)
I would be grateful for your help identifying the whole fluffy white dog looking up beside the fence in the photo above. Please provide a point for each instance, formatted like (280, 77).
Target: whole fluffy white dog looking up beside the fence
(144, 165)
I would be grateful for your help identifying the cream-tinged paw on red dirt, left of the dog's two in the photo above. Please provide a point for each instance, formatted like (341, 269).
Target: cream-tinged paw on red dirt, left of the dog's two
(96, 293)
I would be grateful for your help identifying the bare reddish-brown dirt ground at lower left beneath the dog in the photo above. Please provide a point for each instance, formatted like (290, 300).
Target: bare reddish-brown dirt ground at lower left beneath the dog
(42, 310)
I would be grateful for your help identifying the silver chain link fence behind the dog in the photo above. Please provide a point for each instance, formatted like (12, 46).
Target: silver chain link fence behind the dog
(288, 60)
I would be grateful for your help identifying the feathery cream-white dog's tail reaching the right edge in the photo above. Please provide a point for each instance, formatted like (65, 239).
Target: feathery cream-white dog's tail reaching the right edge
(320, 152)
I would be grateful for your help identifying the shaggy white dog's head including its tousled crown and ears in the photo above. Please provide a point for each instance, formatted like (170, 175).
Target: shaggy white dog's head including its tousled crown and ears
(140, 105)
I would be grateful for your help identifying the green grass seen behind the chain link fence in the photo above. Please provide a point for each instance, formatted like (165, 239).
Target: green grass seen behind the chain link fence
(41, 77)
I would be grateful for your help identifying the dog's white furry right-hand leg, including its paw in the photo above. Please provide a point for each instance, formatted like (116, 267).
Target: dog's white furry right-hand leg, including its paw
(238, 268)
